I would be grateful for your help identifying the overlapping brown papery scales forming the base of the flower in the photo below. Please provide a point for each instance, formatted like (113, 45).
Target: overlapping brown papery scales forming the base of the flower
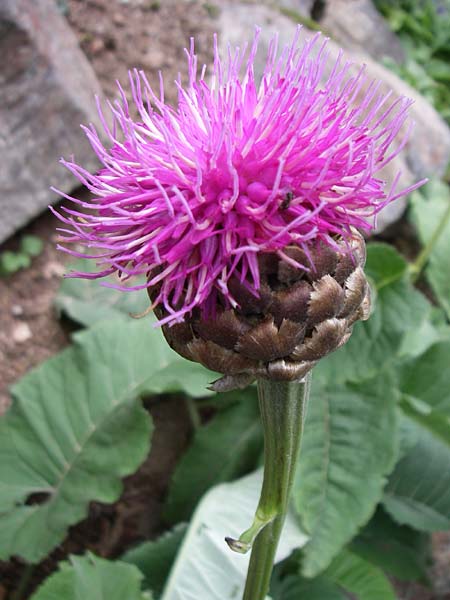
(299, 317)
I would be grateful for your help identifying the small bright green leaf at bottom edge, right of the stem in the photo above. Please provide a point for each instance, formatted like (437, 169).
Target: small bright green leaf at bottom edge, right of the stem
(359, 577)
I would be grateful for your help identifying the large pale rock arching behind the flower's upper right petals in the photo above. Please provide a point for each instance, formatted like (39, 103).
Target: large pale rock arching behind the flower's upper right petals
(427, 152)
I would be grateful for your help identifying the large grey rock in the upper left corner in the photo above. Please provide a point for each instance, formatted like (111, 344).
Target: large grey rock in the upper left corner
(47, 89)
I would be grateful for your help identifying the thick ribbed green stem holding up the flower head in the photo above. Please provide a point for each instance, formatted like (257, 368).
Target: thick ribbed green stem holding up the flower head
(283, 409)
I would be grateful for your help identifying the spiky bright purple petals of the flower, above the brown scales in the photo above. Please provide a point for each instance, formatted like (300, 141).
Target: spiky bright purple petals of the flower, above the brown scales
(191, 196)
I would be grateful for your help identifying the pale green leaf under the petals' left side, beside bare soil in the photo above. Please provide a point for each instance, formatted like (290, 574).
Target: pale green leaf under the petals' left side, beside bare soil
(86, 301)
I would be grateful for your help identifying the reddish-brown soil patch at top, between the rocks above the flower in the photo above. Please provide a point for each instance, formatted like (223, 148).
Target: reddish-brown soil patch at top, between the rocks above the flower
(119, 35)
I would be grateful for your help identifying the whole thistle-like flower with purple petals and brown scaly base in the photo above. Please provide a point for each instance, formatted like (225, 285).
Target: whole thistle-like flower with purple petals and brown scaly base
(241, 205)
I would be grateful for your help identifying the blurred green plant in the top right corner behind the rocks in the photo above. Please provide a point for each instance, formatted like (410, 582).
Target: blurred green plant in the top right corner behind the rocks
(423, 27)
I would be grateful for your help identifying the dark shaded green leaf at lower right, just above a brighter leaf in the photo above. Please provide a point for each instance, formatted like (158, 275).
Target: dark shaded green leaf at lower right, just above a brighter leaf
(398, 550)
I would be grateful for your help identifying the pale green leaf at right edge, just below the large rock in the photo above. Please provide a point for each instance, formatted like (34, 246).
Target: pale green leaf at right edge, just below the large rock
(429, 208)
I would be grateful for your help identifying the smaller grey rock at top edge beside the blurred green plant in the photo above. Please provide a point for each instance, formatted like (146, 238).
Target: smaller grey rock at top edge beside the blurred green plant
(357, 25)
